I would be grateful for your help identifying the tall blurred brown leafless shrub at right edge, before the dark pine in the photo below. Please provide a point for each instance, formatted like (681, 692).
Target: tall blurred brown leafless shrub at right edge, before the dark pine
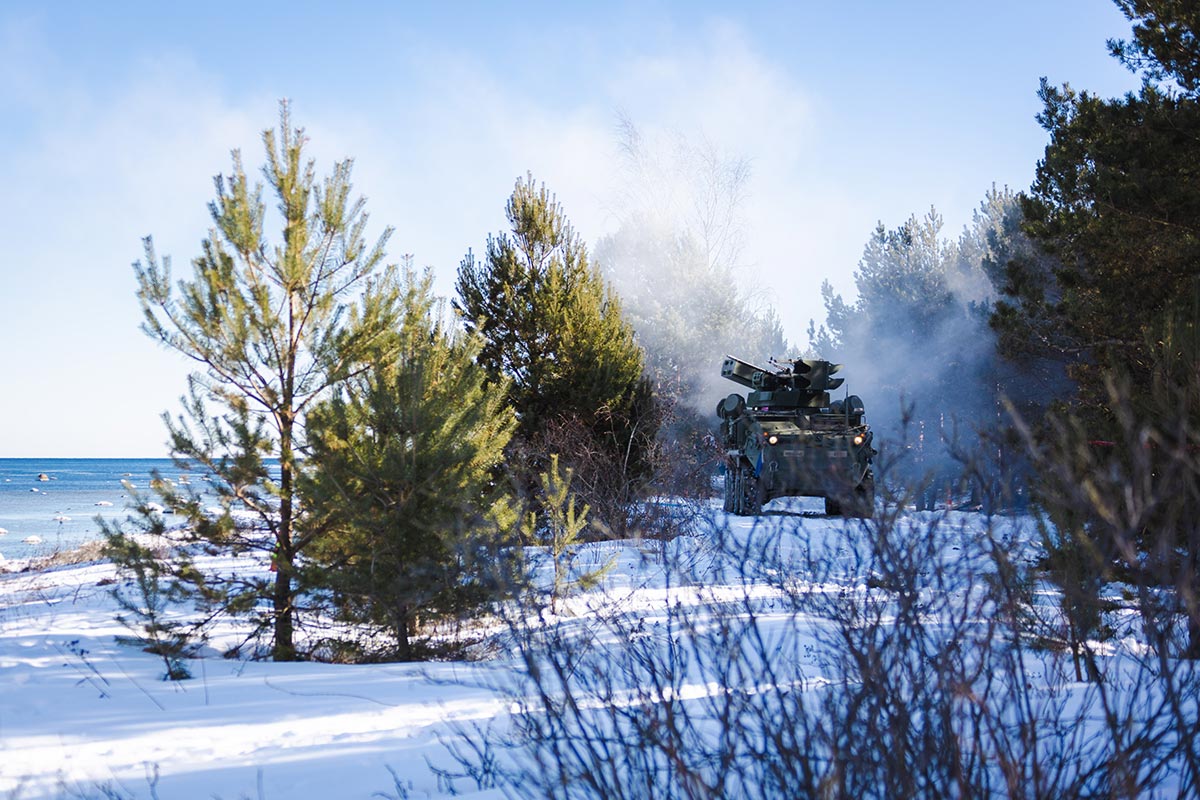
(1121, 533)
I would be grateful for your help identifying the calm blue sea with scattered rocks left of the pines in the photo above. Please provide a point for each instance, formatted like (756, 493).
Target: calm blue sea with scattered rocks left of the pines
(62, 510)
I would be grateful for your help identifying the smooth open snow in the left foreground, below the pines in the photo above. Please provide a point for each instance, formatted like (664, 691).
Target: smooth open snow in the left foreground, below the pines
(79, 712)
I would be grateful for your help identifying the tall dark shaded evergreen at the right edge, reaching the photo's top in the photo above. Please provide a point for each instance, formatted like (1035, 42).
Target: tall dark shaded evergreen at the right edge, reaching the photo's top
(1117, 204)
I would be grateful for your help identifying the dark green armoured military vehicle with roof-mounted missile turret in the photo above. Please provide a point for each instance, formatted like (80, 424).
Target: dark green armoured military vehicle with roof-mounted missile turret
(787, 440)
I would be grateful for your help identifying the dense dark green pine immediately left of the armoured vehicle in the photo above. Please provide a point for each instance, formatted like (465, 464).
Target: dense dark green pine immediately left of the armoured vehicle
(555, 330)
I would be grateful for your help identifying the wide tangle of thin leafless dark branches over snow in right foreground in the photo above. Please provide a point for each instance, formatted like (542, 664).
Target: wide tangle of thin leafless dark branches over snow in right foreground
(899, 657)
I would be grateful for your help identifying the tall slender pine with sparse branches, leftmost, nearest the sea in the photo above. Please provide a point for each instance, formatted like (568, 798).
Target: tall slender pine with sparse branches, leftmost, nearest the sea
(274, 327)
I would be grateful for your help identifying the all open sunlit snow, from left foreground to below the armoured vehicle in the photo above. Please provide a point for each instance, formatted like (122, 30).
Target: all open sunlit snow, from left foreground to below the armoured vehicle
(83, 717)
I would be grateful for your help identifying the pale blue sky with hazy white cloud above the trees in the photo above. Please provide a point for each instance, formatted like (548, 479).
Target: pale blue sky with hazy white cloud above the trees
(116, 117)
